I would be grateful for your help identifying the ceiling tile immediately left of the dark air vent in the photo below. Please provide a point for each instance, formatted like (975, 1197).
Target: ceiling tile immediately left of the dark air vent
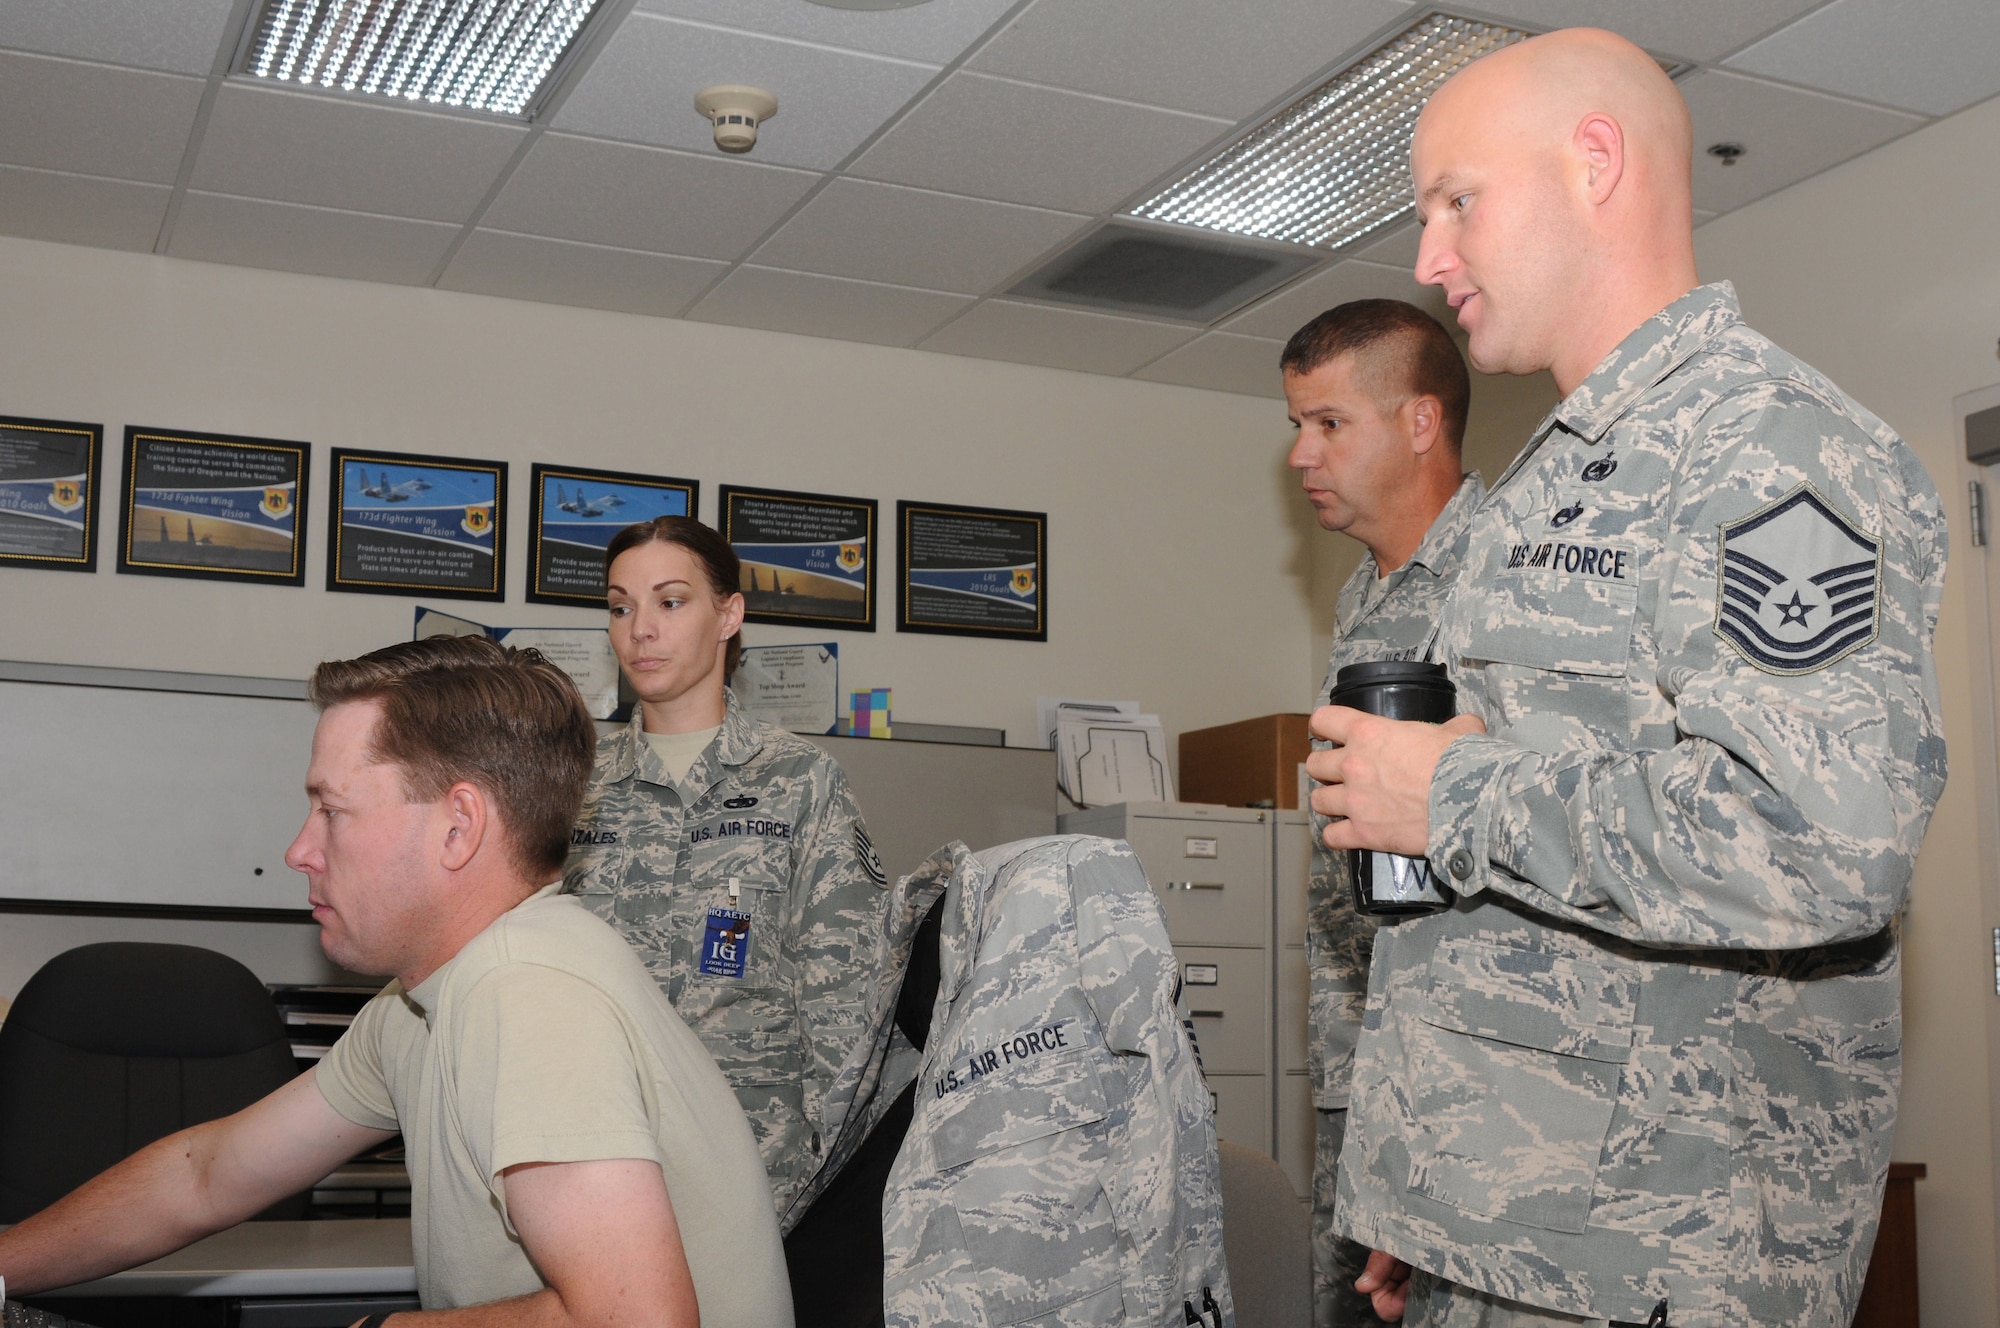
(885, 233)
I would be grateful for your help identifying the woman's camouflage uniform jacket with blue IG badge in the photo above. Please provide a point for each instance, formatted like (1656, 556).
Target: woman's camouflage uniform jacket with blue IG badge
(753, 895)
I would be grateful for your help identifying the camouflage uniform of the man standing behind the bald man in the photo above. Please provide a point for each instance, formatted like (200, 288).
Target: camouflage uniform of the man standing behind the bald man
(1377, 619)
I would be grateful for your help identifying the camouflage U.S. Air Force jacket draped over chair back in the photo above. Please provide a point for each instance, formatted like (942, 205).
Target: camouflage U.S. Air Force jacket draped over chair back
(1061, 1167)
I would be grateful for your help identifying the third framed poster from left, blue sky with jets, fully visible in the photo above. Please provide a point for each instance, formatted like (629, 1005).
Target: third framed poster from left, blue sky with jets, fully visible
(417, 525)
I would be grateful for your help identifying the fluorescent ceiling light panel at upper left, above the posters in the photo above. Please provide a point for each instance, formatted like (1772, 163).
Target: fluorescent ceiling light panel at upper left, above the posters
(483, 55)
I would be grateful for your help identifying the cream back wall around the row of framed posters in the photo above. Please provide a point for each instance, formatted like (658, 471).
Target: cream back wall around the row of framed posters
(1177, 565)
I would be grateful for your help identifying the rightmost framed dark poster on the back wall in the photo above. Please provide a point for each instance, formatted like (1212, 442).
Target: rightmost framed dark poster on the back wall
(971, 571)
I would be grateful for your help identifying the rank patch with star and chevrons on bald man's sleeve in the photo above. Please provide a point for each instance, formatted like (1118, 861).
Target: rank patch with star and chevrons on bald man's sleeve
(1799, 585)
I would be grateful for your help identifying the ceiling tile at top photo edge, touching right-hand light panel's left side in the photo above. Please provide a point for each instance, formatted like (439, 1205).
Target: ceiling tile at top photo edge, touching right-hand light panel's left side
(1191, 55)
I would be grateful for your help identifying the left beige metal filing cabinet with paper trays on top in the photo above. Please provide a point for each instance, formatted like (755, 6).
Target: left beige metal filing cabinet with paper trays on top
(1211, 869)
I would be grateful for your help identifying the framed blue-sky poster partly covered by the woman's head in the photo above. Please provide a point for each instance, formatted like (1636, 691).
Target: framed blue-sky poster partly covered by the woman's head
(575, 517)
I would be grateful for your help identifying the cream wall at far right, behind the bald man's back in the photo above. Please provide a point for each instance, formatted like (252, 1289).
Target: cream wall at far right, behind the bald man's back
(1885, 275)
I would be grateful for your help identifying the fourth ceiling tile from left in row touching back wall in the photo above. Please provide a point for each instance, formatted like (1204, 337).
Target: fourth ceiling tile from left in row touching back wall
(825, 307)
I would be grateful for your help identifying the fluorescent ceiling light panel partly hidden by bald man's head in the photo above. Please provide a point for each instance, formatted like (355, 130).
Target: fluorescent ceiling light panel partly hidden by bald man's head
(1335, 165)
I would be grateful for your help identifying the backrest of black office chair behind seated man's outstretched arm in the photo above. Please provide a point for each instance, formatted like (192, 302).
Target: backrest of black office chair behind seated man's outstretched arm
(117, 1045)
